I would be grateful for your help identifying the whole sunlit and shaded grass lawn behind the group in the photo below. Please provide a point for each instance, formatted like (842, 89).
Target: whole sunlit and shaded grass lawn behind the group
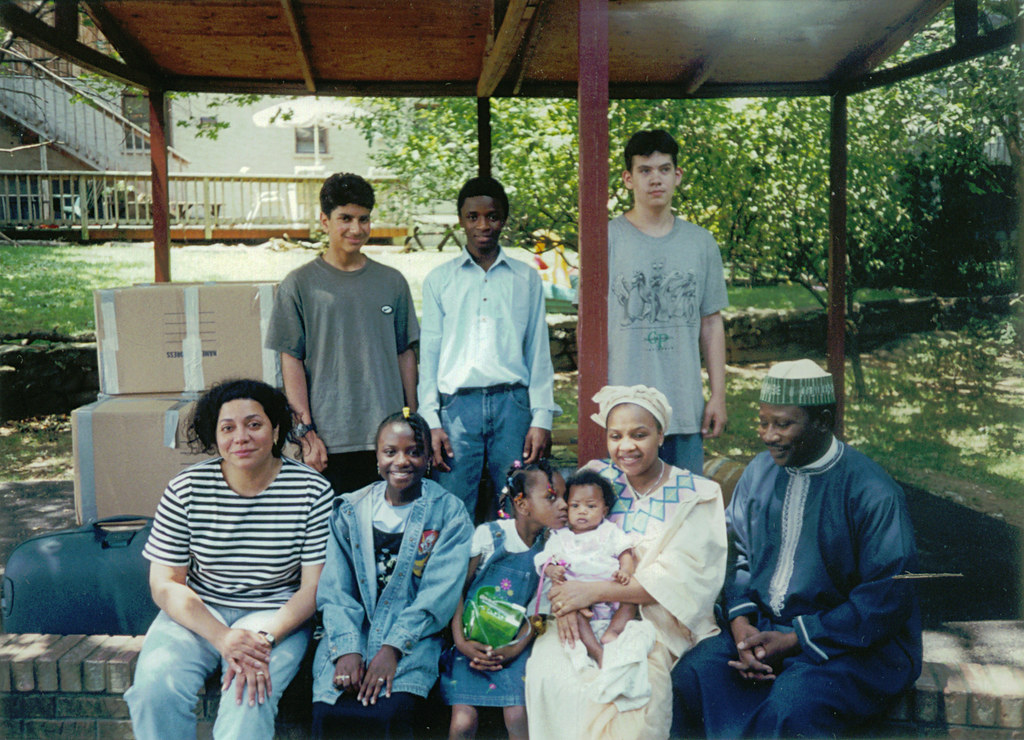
(936, 414)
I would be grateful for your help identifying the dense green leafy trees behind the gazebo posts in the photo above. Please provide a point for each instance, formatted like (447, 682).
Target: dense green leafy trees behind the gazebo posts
(931, 190)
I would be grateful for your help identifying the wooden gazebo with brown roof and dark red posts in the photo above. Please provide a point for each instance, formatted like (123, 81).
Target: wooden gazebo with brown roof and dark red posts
(589, 50)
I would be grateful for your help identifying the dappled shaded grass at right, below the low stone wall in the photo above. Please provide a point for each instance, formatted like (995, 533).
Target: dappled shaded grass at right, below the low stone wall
(913, 423)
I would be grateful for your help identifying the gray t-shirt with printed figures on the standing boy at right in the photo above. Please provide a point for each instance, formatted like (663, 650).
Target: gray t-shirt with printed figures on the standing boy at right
(659, 289)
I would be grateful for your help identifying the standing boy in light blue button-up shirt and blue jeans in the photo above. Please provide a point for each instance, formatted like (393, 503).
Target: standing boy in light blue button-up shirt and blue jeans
(486, 373)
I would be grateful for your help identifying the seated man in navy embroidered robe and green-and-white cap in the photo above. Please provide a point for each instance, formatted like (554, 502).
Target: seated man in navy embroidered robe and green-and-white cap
(823, 634)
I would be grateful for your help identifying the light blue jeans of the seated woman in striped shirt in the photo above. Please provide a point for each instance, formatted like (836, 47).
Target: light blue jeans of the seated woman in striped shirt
(175, 665)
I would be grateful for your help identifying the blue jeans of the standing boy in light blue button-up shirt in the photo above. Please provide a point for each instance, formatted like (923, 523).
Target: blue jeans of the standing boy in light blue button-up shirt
(486, 426)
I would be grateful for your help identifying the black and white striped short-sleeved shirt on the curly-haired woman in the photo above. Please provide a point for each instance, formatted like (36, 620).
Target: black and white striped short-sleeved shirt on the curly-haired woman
(242, 552)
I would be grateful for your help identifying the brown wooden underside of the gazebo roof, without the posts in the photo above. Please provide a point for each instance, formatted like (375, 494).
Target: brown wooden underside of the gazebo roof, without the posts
(657, 49)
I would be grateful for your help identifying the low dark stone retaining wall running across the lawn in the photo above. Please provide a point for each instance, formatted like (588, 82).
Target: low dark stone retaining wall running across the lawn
(57, 378)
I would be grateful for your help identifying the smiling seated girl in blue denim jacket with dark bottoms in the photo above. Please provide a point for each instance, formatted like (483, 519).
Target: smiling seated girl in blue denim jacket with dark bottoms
(396, 565)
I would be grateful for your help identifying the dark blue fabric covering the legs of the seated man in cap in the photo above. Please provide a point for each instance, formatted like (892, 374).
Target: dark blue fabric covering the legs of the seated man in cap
(807, 700)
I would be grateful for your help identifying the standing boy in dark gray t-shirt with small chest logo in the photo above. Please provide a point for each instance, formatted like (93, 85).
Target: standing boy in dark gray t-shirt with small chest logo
(346, 328)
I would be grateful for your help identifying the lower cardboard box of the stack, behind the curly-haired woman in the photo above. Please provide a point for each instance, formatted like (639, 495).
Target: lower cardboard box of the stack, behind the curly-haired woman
(126, 450)
